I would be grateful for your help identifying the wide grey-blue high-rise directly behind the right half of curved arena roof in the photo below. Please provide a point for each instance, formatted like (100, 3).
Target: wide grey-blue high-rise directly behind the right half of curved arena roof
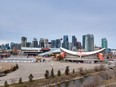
(88, 42)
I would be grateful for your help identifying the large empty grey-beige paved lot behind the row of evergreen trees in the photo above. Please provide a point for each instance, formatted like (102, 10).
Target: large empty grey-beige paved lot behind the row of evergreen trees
(38, 70)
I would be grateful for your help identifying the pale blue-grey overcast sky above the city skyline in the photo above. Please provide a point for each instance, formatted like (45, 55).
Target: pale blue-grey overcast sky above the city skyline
(54, 18)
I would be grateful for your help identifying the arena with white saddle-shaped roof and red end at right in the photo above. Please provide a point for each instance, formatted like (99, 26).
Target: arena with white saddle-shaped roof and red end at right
(81, 57)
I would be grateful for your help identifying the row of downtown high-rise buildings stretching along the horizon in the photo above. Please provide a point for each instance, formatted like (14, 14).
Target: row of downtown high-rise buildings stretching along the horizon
(87, 43)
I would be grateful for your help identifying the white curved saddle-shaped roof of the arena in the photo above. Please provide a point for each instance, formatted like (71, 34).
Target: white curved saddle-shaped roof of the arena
(81, 53)
